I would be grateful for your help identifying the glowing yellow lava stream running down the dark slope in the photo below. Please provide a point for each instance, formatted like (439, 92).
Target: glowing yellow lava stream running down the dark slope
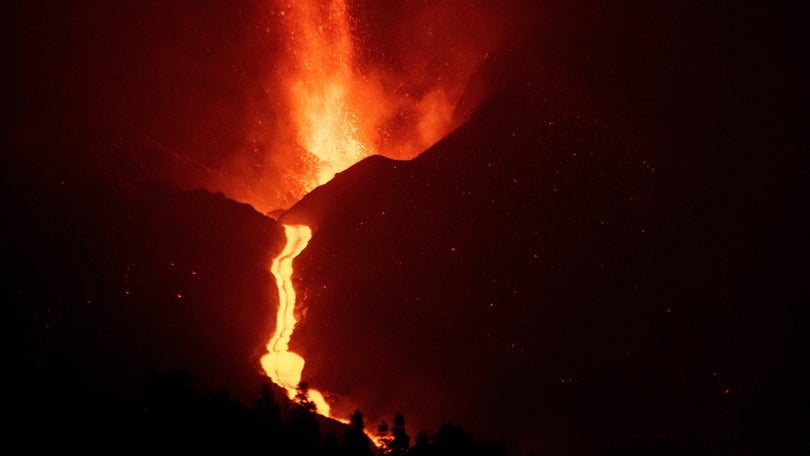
(281, 365)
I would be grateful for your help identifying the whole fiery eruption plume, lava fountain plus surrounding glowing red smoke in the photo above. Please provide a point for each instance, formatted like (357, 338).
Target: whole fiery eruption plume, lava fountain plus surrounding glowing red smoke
(338, 89)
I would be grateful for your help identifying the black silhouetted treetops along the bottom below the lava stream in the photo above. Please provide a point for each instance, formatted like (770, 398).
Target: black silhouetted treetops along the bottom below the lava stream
(171, 416)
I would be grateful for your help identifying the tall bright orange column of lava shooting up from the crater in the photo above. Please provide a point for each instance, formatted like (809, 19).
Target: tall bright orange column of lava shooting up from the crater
(323, 89)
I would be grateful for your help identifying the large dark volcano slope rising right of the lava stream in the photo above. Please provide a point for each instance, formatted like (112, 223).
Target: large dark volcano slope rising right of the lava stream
(535, 277)
